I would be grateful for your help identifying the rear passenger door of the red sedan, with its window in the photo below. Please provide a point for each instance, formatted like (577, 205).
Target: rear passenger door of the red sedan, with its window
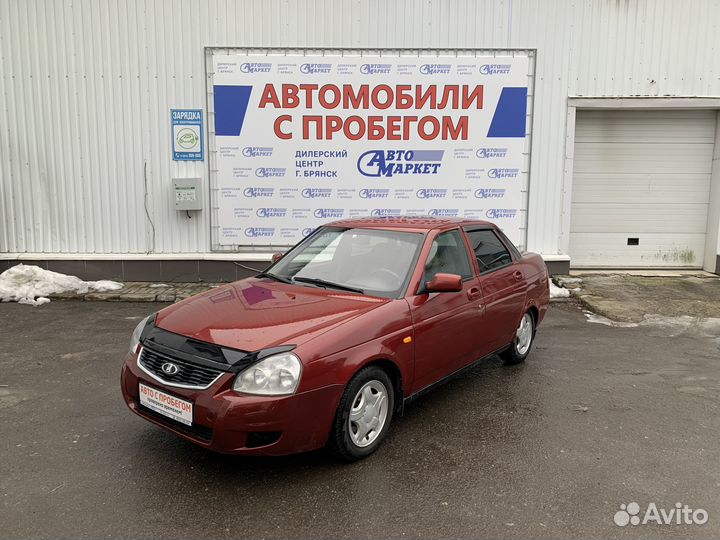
(503, 286)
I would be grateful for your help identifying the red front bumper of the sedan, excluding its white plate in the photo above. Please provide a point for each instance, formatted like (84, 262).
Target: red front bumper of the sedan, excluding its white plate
(232, 423)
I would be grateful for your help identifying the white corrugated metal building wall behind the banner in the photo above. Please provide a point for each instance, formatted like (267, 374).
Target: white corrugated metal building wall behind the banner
(87, 86)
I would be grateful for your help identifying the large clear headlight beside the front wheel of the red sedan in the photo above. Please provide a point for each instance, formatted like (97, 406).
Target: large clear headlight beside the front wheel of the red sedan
(276, 375)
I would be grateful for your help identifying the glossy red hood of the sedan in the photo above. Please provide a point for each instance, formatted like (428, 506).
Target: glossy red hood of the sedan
(257, 313)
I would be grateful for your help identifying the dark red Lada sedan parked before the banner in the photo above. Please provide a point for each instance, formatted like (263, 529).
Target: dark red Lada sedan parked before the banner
(329, 343)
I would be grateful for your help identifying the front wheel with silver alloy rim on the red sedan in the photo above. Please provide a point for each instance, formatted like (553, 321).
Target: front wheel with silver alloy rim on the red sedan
(364, 414)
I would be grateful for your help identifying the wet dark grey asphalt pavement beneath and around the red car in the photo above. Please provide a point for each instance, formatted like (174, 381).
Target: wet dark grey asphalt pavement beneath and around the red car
(597, 417)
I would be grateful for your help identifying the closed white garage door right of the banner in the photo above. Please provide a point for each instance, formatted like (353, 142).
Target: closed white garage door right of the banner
(641, 188)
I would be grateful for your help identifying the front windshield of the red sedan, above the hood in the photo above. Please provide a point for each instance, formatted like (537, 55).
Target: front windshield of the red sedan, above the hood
(371, 261)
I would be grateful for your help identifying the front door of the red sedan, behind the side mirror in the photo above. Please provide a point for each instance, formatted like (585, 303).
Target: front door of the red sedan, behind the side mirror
(446, 324)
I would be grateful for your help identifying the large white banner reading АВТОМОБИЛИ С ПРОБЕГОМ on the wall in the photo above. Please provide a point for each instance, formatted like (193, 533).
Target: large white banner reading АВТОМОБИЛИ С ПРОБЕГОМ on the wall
(304, 140)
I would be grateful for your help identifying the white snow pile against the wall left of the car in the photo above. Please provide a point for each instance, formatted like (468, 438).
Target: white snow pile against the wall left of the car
(28, 284)
